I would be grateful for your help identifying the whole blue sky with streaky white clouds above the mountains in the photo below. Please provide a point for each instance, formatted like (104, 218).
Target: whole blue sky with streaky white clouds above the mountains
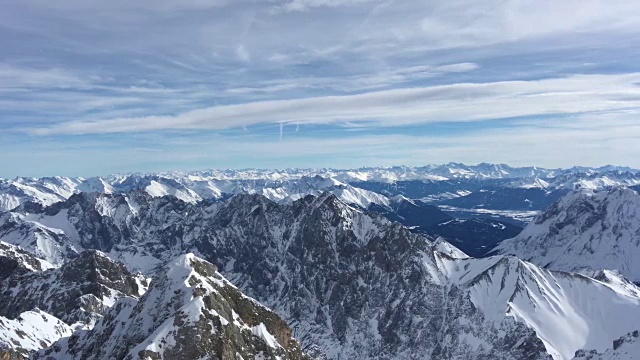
(98, 87)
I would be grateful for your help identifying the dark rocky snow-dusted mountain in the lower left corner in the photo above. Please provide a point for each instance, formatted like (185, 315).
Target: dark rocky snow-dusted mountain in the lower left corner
(40, 304)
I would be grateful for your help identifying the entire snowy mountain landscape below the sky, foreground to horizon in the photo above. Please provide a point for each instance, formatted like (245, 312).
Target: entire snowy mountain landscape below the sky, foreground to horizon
(323, 264)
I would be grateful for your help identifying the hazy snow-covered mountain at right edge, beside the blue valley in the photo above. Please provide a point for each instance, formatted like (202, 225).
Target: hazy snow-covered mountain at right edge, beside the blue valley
(584, 229)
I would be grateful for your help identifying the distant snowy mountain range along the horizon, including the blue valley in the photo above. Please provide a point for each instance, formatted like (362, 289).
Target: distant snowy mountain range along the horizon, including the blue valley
(485, 190)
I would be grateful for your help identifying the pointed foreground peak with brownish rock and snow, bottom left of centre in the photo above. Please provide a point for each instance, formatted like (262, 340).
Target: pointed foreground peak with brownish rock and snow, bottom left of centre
(189, 312)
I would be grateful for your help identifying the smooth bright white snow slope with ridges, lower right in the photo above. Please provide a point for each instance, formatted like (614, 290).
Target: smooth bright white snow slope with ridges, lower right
(567, 311)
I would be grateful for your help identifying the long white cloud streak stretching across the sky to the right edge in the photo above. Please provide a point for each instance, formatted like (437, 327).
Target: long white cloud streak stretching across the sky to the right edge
(457, 102)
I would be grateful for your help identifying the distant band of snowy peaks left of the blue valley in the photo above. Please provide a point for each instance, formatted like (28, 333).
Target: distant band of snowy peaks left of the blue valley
(189, 188)
